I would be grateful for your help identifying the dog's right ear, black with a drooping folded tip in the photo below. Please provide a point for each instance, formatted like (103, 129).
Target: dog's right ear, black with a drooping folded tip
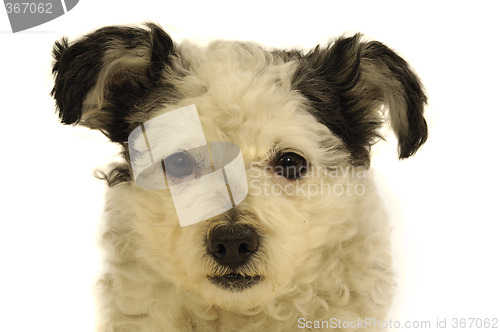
(348, 83)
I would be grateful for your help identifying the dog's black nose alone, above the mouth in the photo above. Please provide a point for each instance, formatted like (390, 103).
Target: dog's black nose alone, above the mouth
(232, 245)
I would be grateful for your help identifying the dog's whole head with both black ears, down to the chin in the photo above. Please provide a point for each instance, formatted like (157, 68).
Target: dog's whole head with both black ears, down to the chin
(304, 122)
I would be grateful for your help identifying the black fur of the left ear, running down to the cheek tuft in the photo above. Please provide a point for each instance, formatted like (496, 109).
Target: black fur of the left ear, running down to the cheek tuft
(128, 92)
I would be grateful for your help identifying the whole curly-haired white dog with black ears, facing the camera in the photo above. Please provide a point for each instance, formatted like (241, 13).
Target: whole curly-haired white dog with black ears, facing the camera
(307, 245)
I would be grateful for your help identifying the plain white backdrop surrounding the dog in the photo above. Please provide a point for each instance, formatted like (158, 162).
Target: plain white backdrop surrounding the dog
(447, 195)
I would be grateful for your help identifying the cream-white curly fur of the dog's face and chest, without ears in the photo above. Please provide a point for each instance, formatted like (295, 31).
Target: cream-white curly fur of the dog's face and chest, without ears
(322, 256)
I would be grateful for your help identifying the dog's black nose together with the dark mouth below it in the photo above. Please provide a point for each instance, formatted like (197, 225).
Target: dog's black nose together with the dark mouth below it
(232, 246)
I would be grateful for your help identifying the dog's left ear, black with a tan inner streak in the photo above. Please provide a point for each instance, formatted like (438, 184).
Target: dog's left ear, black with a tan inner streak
(100, 77)
